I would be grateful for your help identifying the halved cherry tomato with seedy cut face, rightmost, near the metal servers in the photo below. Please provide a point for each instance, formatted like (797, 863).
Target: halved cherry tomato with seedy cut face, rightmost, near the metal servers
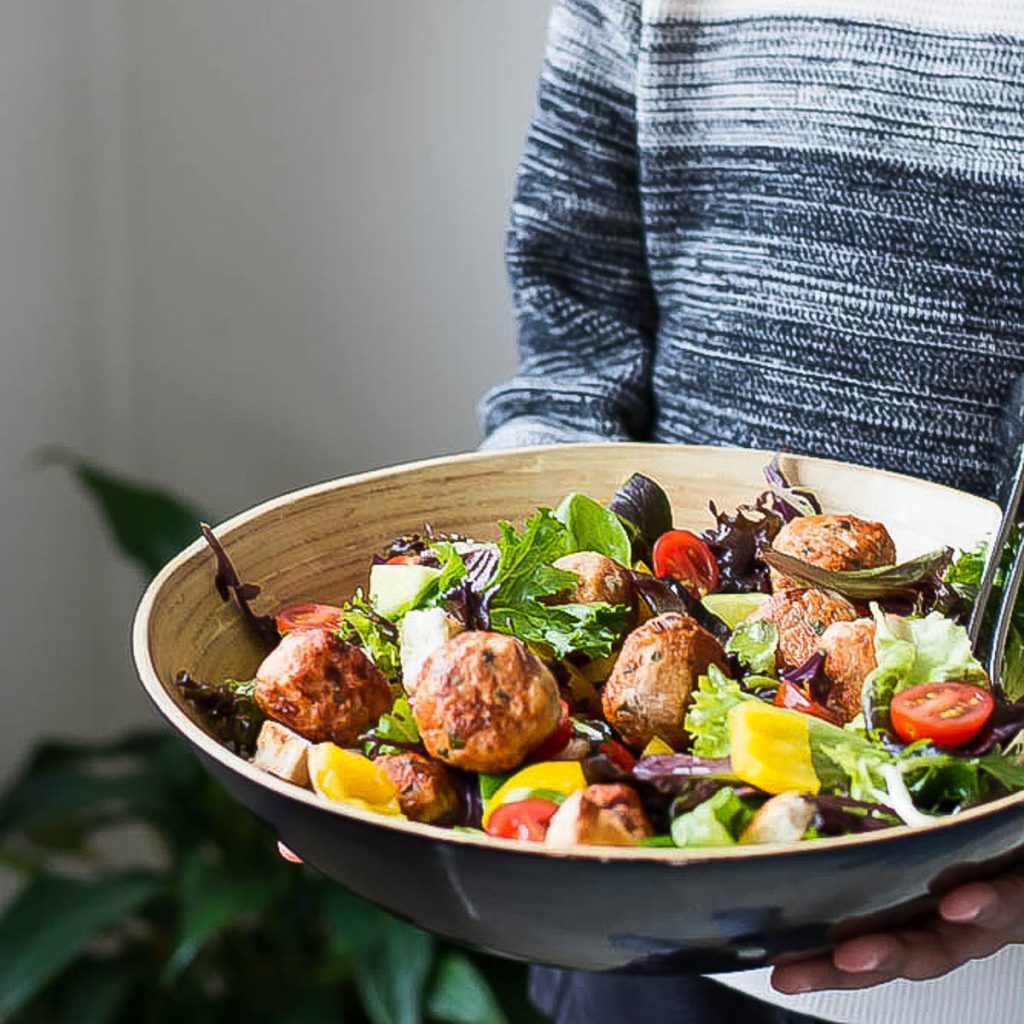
(949, 713)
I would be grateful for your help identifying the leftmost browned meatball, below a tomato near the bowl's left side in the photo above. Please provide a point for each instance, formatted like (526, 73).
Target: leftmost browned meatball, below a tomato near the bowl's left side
(322, 688)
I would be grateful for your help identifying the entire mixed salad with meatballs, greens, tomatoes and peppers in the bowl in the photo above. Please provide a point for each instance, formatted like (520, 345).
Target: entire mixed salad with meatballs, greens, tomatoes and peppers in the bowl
(601, 677)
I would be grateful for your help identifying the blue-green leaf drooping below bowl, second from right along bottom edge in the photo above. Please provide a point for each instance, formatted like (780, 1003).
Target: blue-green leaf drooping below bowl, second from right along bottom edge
(393, 973)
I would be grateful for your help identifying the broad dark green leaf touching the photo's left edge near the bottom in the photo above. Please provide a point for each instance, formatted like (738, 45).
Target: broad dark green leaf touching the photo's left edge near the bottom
(54, 920)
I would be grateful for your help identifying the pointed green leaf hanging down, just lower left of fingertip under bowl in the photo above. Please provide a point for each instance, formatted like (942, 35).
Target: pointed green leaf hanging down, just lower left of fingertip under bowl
(215, 898)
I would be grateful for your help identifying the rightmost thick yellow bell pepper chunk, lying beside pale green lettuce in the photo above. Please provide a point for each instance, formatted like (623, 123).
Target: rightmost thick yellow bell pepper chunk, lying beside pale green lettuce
(770, 748)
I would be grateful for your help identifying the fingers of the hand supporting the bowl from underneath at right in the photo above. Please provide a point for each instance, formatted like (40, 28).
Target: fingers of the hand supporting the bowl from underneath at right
(974, 921)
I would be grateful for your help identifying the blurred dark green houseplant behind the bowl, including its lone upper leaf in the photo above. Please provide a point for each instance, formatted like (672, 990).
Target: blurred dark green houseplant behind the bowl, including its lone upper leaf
(217, 926)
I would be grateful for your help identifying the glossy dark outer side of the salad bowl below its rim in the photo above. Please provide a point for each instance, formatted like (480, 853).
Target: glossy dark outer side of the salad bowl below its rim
(641, 916)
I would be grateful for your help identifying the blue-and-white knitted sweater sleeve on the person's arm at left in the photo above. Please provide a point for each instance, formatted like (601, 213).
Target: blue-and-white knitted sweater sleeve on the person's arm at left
(584, 305)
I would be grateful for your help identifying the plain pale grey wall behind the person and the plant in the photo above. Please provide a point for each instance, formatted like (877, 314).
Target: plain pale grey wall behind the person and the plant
(246, 245)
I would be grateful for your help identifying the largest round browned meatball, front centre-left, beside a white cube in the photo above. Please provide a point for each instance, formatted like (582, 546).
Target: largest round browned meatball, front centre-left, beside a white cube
(484, 701)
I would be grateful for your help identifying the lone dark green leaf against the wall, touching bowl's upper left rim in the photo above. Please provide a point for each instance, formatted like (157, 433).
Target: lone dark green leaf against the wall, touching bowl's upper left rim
(150, 525)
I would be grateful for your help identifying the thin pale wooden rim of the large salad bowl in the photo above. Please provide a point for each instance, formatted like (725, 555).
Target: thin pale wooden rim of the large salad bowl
(209, 747)
